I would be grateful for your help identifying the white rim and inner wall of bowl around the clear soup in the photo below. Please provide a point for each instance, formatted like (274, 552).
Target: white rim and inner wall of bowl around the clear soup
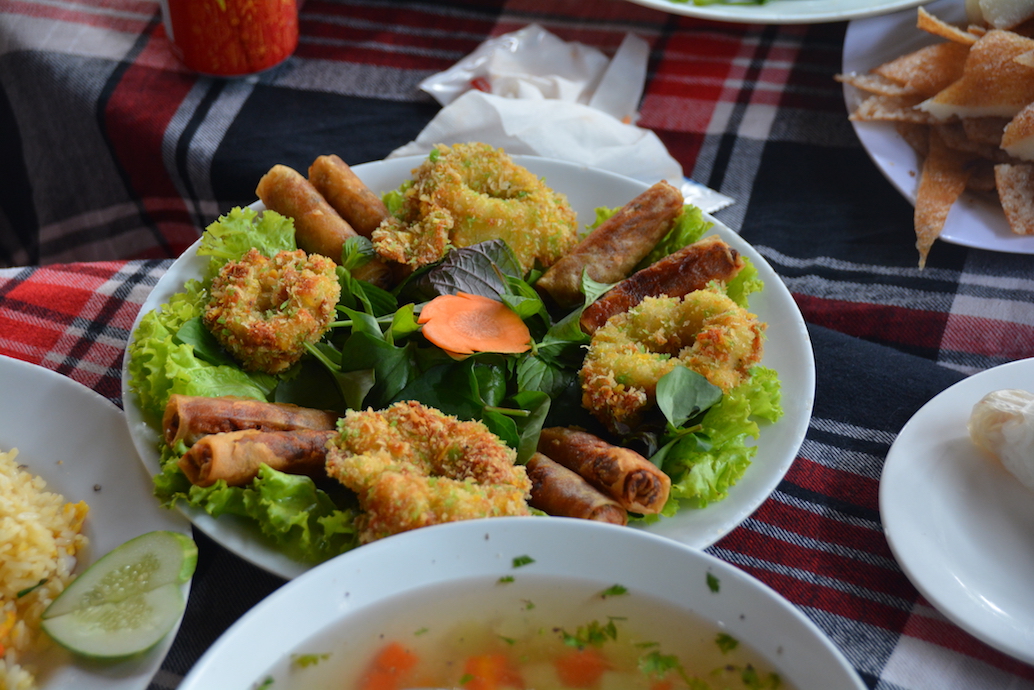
(479, 553)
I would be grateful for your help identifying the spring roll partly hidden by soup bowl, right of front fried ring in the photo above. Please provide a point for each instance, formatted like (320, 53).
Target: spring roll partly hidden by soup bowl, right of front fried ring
(557, 491)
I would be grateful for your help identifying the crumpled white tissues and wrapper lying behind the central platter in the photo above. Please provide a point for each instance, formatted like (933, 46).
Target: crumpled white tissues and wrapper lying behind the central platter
(506, 91)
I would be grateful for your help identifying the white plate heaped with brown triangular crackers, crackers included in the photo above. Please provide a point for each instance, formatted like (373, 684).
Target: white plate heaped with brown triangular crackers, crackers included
(942, 100)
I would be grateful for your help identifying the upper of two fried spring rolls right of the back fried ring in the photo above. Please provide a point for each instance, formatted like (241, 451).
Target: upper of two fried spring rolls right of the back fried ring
(612, 251)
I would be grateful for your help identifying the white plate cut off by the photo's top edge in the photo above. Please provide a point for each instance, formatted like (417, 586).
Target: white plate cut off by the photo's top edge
(783, 12)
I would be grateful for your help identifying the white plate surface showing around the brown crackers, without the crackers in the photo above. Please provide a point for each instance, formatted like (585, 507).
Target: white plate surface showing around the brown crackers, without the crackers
(974, 222)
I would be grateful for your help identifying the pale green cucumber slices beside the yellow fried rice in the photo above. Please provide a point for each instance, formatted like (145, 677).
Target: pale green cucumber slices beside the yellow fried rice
(127, 602)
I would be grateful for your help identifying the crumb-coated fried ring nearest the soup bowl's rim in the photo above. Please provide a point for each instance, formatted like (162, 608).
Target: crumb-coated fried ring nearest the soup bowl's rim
(413, 466)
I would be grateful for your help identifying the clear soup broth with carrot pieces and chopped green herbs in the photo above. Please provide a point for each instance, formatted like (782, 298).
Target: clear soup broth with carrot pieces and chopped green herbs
(526, 633)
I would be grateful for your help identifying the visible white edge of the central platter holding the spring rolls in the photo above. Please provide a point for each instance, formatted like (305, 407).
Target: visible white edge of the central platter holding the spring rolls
(788, 350)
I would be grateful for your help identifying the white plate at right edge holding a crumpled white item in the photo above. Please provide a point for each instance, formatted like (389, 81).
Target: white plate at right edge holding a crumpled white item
(959, 524)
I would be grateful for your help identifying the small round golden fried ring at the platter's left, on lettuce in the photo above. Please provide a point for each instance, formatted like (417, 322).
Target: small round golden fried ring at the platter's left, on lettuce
(264, 311)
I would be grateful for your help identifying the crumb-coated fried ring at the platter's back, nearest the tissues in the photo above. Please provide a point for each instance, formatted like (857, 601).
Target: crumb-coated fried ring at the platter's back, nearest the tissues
(472, 193)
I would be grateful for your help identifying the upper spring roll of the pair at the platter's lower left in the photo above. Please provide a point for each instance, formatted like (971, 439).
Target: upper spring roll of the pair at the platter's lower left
(189, 418)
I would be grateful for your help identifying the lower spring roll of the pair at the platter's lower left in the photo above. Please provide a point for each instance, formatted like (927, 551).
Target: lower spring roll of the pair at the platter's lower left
(237, 457)
